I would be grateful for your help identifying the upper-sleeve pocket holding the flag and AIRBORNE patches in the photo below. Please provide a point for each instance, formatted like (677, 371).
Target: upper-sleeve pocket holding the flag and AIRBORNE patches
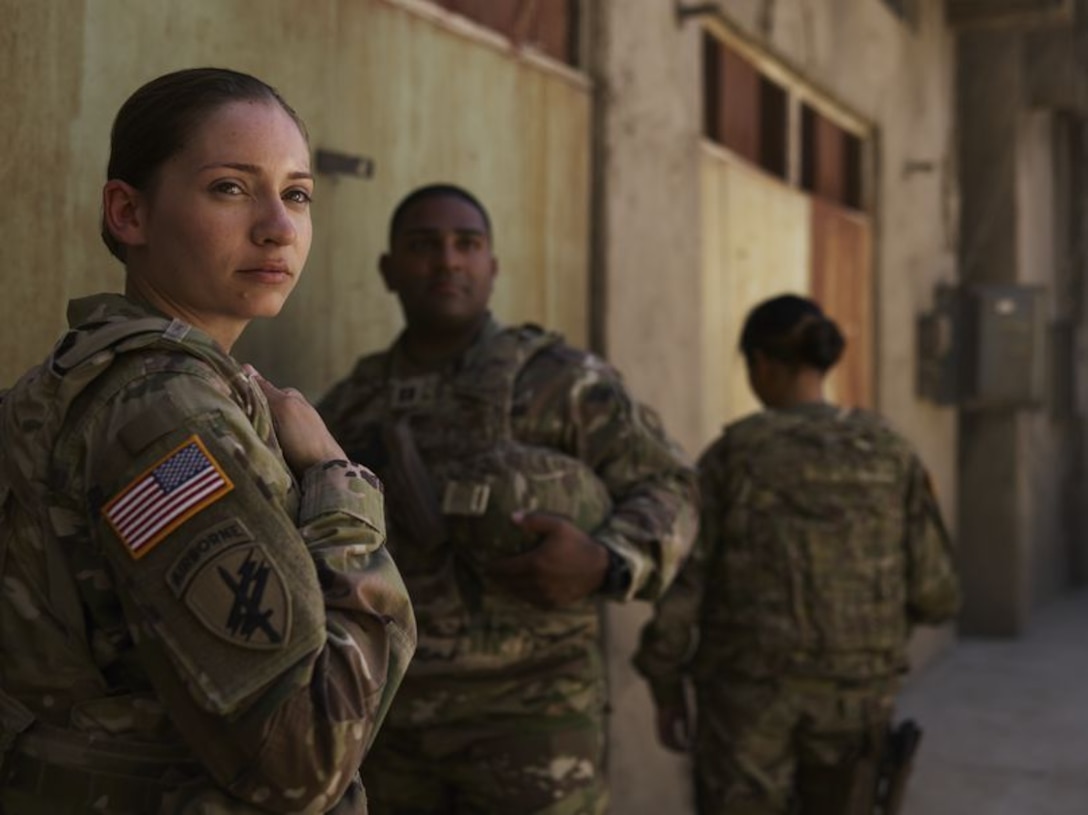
(211, 564)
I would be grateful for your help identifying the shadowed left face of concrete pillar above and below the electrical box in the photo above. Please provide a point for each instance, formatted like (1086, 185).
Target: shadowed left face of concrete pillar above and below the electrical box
(992, 550)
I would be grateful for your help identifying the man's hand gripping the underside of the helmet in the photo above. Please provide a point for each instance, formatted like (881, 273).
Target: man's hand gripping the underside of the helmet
(565, 567)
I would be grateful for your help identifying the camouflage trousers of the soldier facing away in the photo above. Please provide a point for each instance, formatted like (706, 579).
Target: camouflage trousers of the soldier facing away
(797, 747)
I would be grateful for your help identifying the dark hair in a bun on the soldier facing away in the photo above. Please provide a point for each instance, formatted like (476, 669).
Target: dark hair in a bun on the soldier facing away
(793, 330)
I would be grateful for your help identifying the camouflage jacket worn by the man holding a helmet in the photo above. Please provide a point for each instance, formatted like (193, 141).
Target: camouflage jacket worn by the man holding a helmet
(527, 397)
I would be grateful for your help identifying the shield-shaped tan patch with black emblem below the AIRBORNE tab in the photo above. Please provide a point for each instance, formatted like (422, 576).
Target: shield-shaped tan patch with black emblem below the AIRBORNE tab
(240, 596)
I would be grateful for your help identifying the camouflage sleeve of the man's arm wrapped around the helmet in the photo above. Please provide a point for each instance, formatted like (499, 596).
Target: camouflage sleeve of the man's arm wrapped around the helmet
(653, 488)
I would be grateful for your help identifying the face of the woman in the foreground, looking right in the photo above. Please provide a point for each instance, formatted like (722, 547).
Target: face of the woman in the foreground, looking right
(227, 221)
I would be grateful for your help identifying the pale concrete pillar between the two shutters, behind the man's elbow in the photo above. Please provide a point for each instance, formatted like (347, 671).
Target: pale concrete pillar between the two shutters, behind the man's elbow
(648, 263)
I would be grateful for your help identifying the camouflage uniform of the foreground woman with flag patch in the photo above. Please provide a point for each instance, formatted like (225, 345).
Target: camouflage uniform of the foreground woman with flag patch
(184, 627)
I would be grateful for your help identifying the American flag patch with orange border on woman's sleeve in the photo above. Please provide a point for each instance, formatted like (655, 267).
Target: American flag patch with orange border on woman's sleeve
(178, 487)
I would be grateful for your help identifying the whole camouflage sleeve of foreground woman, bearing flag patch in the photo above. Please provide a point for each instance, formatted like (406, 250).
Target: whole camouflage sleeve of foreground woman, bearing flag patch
(268, 615)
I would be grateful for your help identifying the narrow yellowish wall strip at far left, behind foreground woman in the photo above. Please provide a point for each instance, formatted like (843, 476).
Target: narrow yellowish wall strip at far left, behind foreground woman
(44, 238)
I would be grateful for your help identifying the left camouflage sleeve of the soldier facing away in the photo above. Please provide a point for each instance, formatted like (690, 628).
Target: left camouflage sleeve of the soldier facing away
(669, 640)
